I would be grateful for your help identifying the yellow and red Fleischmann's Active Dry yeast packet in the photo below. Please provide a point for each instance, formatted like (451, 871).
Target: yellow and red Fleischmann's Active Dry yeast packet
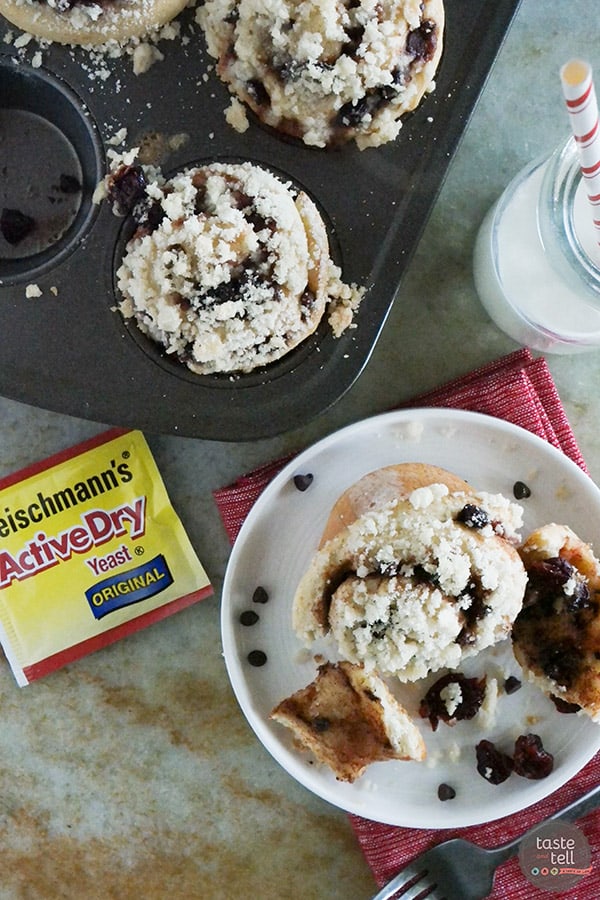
(91, 550)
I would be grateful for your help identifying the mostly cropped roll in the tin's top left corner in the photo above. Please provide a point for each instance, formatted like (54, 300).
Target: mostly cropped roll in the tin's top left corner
(116, 20)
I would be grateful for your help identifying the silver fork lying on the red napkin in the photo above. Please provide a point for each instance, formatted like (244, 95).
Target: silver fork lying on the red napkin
(459, 870)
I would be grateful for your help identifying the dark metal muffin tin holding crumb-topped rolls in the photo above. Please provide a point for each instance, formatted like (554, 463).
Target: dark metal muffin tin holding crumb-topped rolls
(69, 351)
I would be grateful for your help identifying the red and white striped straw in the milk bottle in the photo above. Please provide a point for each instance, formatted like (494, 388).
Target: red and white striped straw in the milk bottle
(582, 106)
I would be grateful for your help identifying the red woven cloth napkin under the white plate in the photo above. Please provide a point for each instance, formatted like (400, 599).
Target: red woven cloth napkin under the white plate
(519, 389)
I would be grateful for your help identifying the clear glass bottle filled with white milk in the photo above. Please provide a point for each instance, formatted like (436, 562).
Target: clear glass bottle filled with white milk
(536, 259)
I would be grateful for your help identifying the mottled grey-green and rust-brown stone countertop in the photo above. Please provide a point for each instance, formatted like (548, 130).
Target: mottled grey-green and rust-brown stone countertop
(133, 772)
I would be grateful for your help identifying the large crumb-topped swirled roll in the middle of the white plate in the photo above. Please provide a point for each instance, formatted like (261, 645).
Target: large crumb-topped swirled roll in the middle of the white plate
(417, 583)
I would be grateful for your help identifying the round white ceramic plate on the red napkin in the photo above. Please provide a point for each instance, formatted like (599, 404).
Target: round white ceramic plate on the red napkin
(273, 550)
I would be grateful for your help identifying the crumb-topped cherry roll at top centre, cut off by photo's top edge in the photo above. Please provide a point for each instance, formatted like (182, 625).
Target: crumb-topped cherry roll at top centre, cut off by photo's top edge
(327, 71)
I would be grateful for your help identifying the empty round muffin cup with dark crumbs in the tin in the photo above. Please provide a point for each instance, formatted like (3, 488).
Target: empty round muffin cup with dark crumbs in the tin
(52, 159)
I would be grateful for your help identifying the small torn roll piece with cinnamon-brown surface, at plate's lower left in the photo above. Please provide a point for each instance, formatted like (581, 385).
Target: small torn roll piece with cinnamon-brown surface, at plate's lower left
(348, 719)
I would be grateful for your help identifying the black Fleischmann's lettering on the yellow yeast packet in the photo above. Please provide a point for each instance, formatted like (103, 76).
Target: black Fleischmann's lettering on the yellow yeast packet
(45, 505)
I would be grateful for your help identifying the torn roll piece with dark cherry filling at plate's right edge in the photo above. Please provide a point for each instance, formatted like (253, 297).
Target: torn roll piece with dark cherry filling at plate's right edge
(556, 636)
